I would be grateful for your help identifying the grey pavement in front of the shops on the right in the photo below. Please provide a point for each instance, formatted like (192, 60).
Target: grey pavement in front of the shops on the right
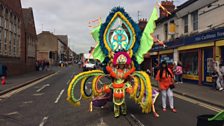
(202, 93)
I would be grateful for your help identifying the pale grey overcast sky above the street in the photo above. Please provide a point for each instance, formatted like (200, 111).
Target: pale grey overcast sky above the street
(71, 17)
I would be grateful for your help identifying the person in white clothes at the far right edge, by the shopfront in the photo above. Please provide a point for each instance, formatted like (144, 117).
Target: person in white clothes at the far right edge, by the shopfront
(219, 80)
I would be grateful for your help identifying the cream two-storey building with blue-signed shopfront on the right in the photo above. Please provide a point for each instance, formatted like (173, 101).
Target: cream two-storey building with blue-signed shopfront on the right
(194, 35)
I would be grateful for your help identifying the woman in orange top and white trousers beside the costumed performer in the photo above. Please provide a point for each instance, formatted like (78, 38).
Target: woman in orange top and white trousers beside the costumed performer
(165, 80)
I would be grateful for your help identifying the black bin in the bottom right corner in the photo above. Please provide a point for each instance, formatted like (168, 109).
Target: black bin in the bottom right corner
(202, 120)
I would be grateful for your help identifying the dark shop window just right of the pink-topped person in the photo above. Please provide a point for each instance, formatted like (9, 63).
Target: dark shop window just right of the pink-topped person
(190, 62)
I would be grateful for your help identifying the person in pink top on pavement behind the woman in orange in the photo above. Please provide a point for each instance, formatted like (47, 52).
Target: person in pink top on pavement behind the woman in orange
(179, 73)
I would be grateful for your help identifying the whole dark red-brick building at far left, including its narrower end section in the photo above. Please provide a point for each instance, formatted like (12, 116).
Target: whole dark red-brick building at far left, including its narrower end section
(15, 49)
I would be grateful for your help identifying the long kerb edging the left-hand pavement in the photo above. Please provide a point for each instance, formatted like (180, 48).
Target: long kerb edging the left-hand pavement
(25, 83)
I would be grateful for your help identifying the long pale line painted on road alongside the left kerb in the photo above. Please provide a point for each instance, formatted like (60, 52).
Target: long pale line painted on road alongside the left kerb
(25, 87)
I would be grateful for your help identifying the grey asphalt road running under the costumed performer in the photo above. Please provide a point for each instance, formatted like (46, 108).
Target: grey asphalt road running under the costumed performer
(44, 104)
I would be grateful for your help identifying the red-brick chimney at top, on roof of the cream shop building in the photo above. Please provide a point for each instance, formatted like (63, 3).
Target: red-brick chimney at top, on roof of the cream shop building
(169, 5)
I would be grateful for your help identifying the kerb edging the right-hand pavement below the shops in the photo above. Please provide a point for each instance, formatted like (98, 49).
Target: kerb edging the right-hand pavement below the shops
(196, 98)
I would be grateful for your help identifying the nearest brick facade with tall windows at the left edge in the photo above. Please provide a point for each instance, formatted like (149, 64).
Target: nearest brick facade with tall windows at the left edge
(12, 37)
